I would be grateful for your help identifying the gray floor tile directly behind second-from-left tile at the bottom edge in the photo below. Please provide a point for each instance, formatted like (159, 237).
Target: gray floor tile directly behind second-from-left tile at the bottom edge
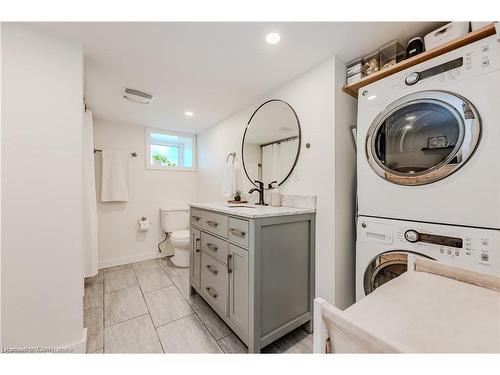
(123, 304)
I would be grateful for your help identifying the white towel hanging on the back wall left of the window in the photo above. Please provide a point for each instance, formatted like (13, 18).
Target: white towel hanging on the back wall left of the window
(115, 176)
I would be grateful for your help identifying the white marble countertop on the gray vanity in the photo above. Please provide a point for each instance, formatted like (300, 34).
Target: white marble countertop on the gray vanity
(252, 211)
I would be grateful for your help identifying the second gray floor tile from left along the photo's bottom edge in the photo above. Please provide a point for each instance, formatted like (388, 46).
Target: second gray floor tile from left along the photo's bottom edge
(133, 336)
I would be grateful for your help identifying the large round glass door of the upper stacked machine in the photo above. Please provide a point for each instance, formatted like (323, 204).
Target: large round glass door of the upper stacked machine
(423, 137)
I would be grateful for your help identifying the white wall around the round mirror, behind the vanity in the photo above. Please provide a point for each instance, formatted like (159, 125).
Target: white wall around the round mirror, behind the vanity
(313, 96)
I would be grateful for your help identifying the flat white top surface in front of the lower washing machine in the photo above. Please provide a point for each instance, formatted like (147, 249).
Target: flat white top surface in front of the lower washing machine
(420, 312)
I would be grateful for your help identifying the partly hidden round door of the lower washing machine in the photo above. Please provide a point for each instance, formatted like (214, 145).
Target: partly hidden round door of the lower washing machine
(386, 267)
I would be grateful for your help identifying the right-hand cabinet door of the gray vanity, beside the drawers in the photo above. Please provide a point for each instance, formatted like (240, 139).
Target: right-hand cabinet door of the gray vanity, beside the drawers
(238, 287)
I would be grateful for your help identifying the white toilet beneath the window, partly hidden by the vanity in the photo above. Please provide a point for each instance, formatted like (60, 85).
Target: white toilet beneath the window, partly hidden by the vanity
(175, 221)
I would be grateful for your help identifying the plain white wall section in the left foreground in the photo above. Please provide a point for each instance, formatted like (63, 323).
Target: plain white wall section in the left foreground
(41, 189)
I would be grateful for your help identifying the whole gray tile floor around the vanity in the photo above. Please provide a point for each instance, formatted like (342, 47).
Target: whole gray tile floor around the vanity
(145, 307)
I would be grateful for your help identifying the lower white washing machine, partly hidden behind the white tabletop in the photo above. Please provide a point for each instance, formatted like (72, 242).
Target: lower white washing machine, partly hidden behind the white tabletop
(383, 246)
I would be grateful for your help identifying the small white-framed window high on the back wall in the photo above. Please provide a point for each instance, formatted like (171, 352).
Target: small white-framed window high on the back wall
(170, 150)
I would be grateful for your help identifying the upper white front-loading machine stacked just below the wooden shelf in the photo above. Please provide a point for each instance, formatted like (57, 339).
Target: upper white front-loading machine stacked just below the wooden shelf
(429, 140)
